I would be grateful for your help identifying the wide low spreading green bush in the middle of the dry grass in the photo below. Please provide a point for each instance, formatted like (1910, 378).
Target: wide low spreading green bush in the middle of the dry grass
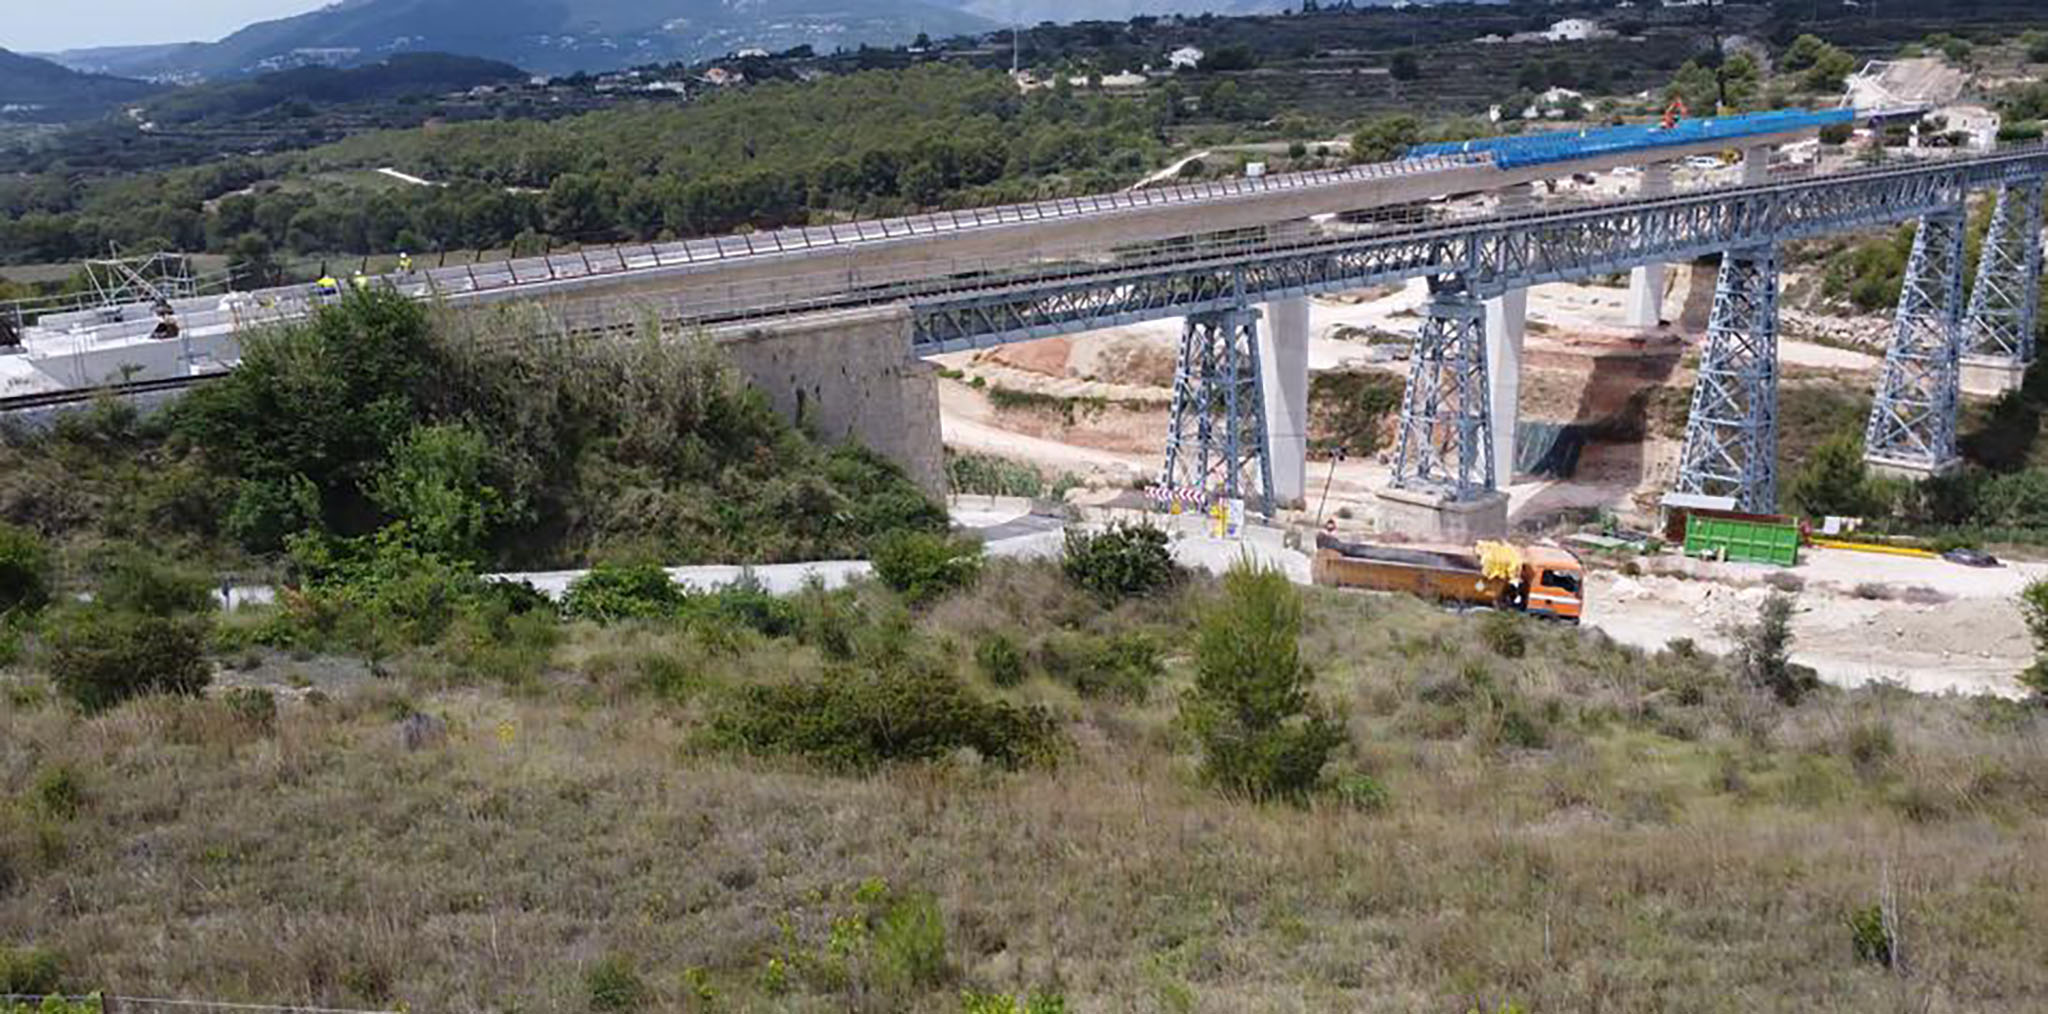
(859, 720)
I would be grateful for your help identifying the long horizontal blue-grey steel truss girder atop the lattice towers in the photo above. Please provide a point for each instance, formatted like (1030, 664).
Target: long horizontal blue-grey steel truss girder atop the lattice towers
(1494, 255)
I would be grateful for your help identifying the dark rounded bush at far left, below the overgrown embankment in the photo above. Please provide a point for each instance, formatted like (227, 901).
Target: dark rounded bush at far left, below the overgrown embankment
(101, 659)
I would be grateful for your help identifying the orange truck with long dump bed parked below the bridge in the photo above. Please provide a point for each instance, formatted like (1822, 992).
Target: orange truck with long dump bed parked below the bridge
(1537, 581)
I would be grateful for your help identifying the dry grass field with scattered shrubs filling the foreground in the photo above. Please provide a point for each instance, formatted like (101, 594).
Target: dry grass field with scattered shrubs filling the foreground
(1525, 820)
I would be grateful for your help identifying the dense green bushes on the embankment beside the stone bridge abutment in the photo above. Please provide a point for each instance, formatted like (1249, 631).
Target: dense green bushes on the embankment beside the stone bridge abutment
(458, 452)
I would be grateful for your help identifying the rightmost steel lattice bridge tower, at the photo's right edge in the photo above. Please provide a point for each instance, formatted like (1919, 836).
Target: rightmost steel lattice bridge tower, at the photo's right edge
(2006, 300)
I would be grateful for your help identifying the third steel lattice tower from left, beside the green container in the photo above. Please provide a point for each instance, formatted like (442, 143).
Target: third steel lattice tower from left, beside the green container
(1732, 435)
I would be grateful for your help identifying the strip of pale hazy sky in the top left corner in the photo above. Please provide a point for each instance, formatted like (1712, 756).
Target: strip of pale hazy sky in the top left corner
(42, 26)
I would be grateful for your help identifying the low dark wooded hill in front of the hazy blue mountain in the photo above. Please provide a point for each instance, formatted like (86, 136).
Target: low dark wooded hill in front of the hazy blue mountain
(407, 75)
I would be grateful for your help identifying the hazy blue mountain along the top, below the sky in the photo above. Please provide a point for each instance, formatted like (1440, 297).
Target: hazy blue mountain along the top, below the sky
(544, 36)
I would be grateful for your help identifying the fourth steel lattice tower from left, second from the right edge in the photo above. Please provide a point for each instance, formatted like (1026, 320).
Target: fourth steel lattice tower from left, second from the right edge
(1914, 417)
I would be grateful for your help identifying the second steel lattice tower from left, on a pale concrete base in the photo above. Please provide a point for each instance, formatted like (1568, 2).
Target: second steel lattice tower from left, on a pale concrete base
(1447, 443)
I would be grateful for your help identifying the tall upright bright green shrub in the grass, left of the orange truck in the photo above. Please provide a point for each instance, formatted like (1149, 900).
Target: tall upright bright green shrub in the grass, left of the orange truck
(1263, 734)
